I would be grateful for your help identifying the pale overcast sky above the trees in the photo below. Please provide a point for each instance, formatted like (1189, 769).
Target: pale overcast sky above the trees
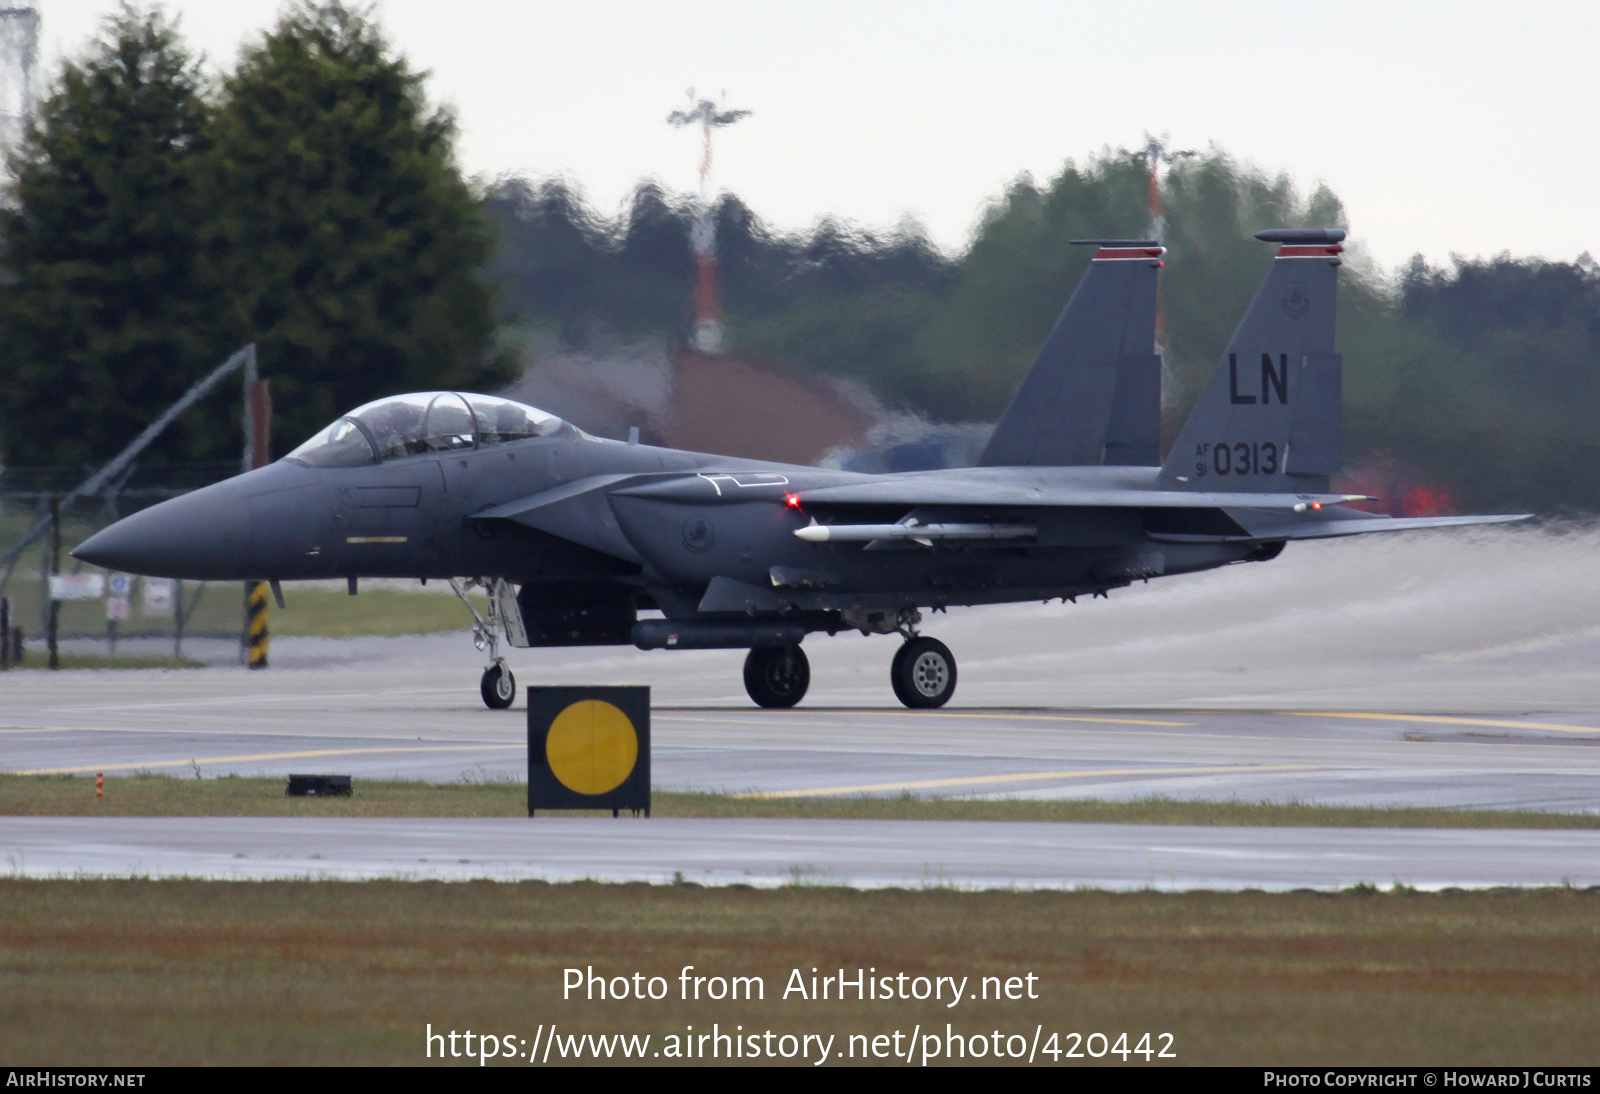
(1457, 127)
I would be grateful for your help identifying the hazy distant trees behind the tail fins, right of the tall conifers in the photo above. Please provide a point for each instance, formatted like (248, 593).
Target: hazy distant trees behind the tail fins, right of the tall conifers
(1473, 385)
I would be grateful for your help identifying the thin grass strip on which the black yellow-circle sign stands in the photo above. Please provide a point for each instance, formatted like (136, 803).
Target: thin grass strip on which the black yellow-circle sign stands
(164, 796)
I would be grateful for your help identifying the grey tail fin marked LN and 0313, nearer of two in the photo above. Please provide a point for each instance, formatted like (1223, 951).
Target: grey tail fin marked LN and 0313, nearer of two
(1271, 420)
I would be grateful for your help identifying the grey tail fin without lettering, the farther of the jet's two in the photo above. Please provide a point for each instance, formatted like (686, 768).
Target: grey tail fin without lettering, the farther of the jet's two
(1095, 391)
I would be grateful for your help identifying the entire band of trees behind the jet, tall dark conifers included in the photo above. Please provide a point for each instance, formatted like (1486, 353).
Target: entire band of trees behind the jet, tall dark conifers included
(310, 201)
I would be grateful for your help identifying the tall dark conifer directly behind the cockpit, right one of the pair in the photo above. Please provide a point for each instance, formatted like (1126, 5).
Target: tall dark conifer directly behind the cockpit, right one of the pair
(346, 236)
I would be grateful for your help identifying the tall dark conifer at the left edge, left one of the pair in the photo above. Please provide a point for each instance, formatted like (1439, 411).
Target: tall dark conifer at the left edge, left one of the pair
(106, 316)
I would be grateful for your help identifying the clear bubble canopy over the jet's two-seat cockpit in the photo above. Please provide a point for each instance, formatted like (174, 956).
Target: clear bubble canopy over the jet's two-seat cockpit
(420, 425)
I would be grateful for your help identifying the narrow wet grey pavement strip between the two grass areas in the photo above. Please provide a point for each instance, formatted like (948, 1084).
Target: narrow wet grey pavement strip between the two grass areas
(764, 853)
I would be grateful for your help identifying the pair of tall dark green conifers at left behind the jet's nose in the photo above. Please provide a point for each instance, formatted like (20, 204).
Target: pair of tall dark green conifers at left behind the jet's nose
(308, 202)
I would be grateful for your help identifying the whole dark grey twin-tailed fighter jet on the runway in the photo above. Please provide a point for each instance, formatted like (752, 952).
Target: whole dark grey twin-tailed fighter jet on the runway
(574, 535)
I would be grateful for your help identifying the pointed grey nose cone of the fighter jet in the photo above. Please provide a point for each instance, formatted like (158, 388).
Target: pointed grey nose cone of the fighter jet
(201, 537)
